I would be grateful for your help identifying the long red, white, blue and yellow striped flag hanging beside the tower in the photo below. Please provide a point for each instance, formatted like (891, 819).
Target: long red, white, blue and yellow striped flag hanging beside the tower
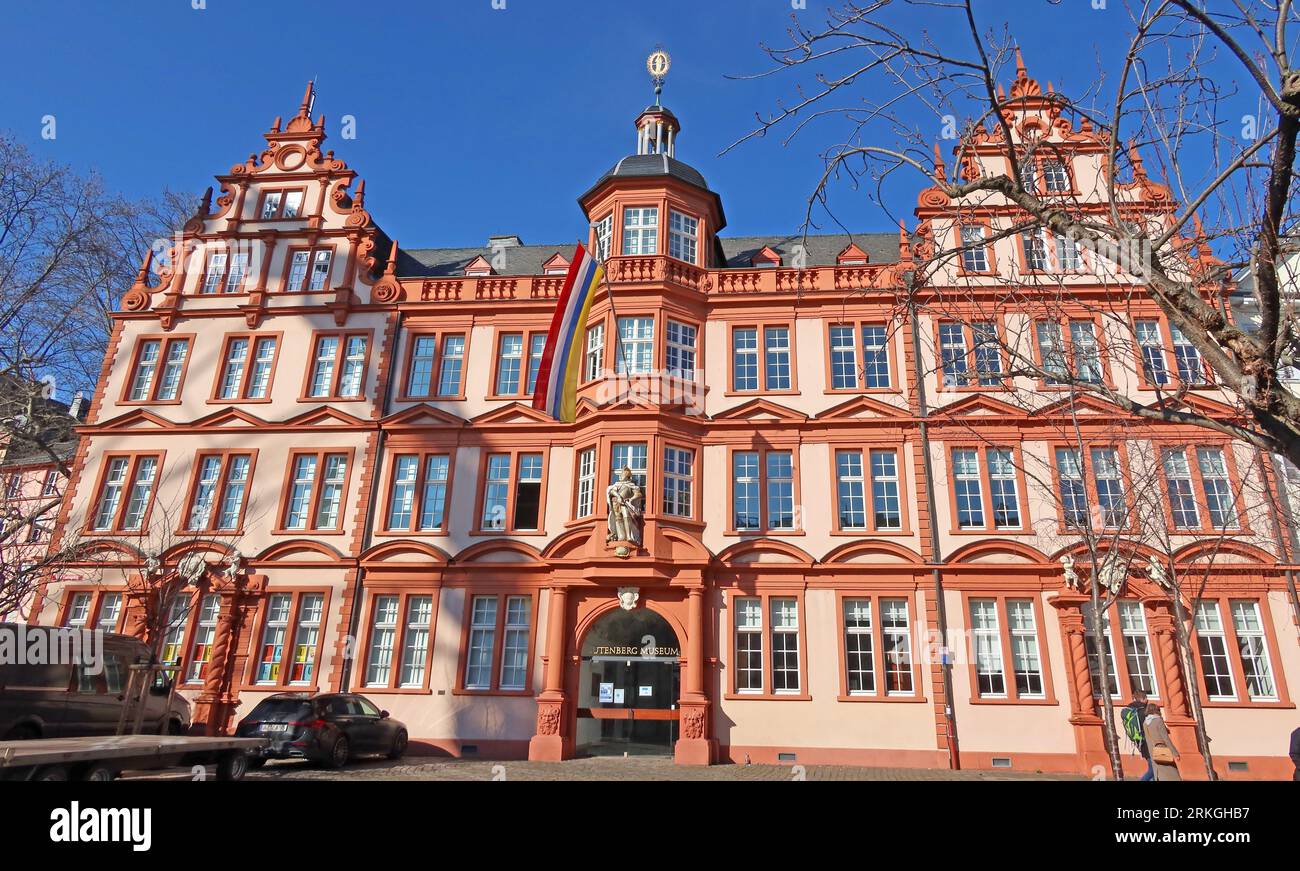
(557, 378)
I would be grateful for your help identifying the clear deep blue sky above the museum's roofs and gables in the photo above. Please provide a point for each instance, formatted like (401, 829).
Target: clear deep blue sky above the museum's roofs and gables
(471, 120)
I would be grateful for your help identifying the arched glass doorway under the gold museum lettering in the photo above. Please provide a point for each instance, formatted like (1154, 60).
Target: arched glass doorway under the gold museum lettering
(629, 687)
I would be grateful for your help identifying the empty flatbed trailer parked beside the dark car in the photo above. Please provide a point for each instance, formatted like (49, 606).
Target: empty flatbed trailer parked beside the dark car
(105, 759)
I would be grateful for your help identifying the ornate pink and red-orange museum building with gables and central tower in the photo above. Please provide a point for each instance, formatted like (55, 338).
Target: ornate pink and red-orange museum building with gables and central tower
(847, 552)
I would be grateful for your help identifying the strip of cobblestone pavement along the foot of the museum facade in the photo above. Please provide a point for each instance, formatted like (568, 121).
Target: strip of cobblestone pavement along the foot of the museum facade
(635, 769)
